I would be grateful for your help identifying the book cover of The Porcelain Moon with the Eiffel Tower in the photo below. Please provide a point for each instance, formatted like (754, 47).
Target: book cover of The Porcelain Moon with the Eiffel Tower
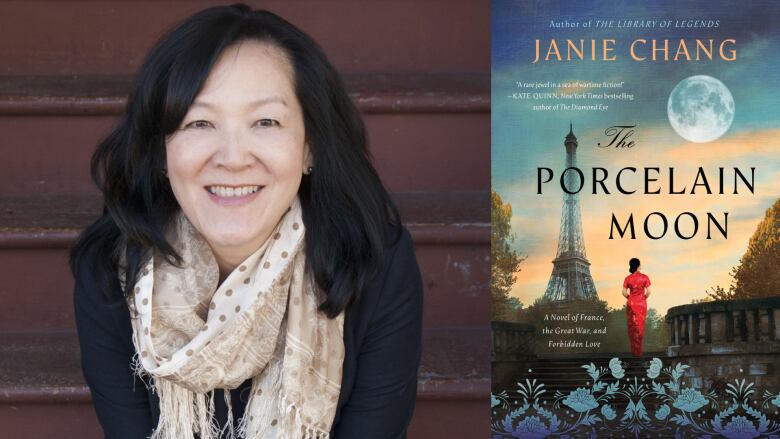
(635, 266)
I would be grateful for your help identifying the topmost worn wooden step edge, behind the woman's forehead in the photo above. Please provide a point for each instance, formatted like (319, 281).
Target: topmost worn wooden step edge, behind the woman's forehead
(373, 93)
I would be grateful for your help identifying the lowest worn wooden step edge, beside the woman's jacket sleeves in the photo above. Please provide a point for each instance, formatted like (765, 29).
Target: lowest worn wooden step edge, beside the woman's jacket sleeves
(44, 366)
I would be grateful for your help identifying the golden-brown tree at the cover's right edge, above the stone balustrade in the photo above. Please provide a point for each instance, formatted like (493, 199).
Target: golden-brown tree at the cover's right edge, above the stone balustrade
(757, 274)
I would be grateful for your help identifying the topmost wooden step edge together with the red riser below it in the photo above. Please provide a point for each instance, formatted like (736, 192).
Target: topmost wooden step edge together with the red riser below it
(427, 131)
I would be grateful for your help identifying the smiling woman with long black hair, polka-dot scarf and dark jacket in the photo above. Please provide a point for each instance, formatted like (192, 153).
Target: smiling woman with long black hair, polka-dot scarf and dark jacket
(250, 275)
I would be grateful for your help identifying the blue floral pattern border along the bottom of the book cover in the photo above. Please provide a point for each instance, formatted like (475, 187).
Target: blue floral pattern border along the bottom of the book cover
(594, 413)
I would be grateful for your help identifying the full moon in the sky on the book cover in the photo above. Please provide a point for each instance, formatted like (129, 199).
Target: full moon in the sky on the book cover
(700, 108)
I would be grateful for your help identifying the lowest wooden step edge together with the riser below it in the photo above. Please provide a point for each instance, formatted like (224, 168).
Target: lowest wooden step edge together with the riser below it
(40, 375)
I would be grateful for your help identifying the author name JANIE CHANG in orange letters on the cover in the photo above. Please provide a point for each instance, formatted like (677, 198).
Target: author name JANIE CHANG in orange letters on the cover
(639, 50)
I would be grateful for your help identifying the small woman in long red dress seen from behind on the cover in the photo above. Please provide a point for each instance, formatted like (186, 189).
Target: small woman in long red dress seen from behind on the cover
(636, 288)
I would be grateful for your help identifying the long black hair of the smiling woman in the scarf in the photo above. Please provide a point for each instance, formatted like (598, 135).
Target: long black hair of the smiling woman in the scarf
(349, 216)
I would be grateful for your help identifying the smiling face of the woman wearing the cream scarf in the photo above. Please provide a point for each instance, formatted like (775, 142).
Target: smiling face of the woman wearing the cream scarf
(236, 161)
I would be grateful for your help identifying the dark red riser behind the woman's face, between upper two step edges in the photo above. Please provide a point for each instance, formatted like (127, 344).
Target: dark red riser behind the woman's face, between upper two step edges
(411, 151)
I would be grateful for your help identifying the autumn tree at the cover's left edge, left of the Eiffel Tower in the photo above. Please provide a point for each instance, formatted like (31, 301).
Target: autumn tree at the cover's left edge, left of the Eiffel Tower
(504, 261)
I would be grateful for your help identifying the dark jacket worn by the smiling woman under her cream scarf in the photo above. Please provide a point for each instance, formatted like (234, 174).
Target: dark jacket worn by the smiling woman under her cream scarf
(382, 339)
